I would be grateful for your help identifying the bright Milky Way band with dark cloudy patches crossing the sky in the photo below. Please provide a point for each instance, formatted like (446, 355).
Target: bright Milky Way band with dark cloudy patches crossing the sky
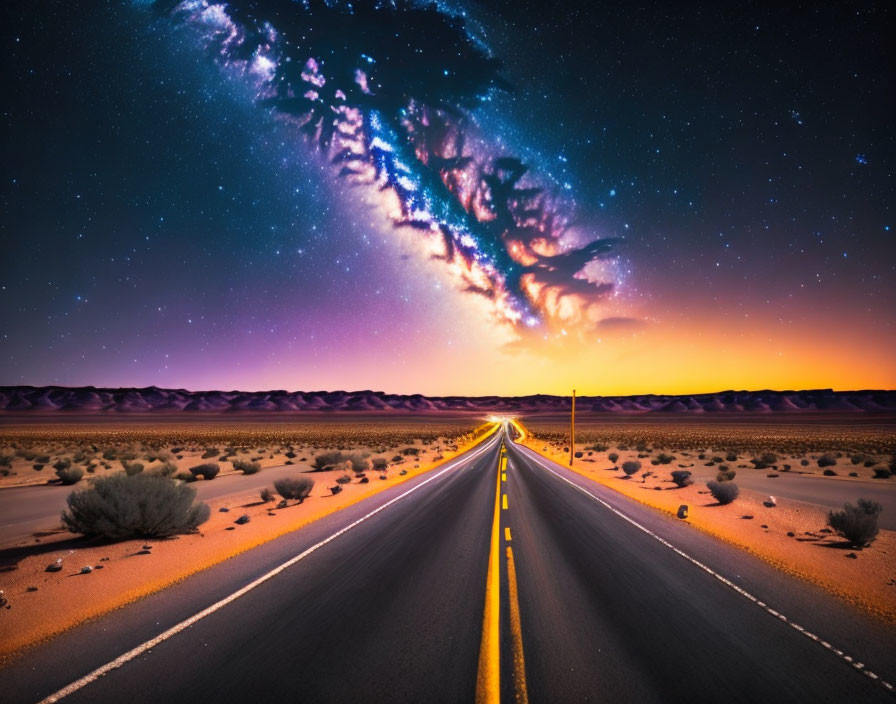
(387, 92)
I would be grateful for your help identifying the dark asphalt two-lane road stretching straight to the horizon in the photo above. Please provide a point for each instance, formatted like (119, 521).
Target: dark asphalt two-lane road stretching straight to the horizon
(391, 610)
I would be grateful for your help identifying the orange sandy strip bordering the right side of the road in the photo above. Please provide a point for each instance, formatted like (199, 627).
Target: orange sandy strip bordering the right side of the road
(792, 536)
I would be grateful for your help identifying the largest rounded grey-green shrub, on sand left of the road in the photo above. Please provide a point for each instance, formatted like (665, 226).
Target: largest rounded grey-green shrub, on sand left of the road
(141, 505)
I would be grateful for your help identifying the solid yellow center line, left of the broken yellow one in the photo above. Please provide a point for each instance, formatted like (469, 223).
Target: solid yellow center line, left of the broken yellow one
(488, 678)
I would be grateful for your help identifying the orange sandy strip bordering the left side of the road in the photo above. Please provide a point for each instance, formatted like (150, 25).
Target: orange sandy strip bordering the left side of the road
(43, 603)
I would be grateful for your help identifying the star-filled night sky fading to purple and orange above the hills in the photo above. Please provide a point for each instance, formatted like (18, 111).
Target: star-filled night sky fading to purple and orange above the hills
(163, 224)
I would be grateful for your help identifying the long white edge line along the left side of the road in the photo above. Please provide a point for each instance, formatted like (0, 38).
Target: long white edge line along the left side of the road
(183, 625)
